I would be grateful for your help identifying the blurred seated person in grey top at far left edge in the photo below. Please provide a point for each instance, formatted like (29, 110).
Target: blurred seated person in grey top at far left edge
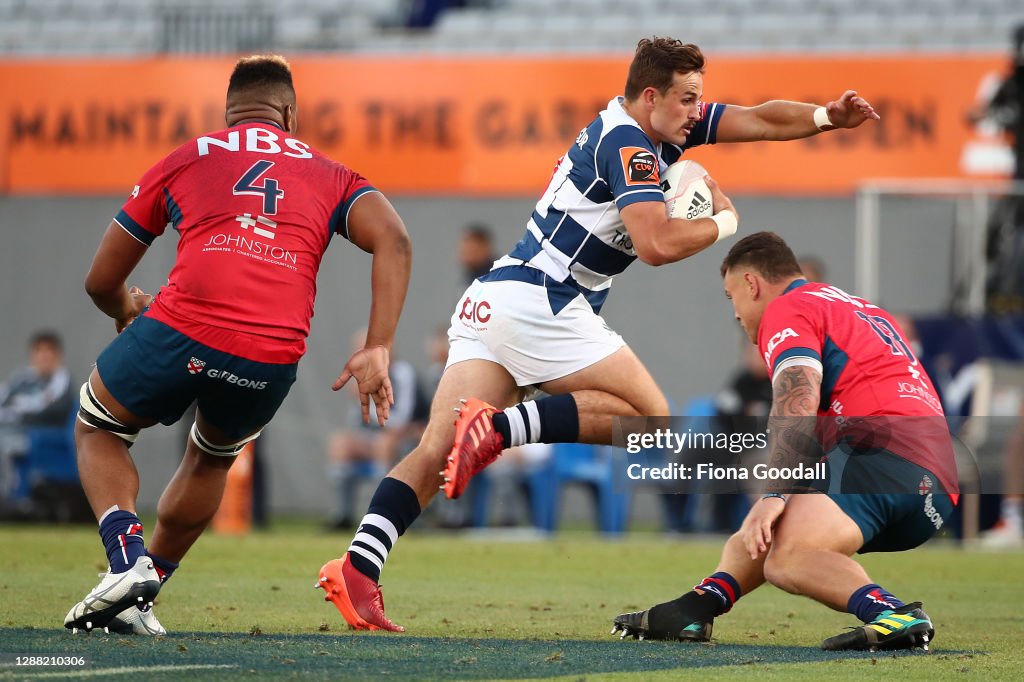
(38, 395)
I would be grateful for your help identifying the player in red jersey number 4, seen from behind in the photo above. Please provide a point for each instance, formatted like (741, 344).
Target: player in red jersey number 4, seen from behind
(255, 208)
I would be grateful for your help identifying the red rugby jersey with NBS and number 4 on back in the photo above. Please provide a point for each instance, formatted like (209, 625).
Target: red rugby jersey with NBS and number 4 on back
(254, 209)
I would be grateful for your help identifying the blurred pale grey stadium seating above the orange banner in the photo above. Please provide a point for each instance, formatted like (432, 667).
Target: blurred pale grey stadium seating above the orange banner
(144, 27)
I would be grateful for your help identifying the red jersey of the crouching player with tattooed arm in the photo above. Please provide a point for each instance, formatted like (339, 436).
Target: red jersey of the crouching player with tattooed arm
(868, 370)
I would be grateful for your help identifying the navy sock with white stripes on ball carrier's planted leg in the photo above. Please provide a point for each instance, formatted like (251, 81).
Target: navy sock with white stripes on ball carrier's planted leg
(393, 509)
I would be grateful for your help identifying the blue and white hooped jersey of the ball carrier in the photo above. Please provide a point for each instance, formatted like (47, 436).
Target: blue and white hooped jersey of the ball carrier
(576, 236)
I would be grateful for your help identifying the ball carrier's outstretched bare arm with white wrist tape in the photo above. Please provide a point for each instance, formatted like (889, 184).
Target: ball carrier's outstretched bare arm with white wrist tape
(781, 120)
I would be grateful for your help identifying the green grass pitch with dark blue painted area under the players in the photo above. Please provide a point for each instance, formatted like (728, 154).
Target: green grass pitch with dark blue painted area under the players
(481, 609)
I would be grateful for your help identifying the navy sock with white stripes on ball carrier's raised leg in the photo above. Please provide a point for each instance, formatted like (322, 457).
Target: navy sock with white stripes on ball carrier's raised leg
(552, 419)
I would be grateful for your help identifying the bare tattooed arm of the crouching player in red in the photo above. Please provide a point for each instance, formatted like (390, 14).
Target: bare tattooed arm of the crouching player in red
(796, 395)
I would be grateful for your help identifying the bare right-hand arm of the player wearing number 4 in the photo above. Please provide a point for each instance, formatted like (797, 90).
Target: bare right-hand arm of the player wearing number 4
(374, 226)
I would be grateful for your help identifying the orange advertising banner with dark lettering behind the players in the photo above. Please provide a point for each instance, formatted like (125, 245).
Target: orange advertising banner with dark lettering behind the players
(487, 126)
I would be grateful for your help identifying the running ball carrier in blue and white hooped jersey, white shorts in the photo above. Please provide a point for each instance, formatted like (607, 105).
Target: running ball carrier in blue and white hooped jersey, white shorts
(534, 323)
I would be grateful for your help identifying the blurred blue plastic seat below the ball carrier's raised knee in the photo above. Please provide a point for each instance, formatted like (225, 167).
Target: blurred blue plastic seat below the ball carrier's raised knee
(579, 463)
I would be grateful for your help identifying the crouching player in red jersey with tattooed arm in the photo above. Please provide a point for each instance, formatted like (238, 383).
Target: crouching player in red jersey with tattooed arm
(847, 387)
